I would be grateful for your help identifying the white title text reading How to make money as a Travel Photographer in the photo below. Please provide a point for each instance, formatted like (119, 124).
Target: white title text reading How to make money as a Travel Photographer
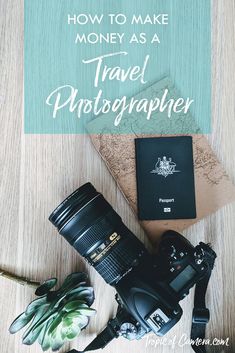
(67, 97)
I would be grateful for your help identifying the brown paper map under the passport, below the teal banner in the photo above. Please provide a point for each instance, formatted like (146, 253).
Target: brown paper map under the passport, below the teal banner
(213, 187)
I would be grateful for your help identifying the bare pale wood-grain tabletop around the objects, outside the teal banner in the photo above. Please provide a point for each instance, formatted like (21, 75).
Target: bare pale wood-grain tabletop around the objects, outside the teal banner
(37, 172)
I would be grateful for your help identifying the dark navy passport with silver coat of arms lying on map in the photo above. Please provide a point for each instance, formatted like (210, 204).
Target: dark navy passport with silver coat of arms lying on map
(165, 178)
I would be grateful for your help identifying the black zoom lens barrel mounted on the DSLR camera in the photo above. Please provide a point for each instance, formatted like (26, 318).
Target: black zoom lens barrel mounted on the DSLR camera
(90, 224)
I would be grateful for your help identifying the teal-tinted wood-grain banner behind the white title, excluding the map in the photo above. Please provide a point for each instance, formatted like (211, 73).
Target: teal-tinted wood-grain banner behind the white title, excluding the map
(65, 41)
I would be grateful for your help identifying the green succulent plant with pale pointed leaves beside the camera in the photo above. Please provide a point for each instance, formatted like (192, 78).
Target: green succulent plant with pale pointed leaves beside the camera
(56, 316)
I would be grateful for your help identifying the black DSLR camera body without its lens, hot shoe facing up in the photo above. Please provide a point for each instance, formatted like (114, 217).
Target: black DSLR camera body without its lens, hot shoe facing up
(151, 292)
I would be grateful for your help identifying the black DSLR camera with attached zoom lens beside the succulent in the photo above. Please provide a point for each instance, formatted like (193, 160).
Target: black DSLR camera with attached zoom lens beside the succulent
(149, 287)
